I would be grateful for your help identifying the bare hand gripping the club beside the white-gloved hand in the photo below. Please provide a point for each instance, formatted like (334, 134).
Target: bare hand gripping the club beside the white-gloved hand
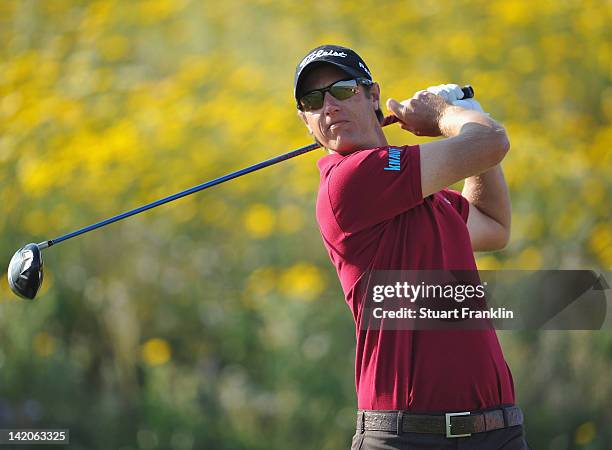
(421, 114)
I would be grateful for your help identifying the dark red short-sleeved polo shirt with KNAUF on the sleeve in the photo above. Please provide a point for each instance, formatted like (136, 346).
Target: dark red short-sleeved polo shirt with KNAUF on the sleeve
(372, 216)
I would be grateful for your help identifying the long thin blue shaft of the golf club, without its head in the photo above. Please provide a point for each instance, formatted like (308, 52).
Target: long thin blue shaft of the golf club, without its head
(467, 91)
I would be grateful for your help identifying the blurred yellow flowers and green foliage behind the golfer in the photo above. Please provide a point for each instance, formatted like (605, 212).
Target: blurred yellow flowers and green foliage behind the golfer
(217, 322)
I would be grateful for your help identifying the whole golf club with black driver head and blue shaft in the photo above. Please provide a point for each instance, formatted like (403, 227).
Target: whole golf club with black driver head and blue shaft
(25, 271)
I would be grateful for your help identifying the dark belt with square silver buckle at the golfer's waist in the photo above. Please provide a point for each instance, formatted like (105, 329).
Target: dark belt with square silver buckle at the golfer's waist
(456, 424)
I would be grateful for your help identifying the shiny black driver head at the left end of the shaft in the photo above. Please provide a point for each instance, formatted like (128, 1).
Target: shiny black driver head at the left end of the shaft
(25, 272)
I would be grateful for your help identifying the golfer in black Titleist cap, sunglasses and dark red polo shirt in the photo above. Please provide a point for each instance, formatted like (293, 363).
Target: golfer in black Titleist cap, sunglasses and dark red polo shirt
(379, 214)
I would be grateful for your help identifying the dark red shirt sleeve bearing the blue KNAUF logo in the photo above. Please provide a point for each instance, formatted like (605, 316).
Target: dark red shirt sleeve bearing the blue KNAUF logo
(371, 186)
